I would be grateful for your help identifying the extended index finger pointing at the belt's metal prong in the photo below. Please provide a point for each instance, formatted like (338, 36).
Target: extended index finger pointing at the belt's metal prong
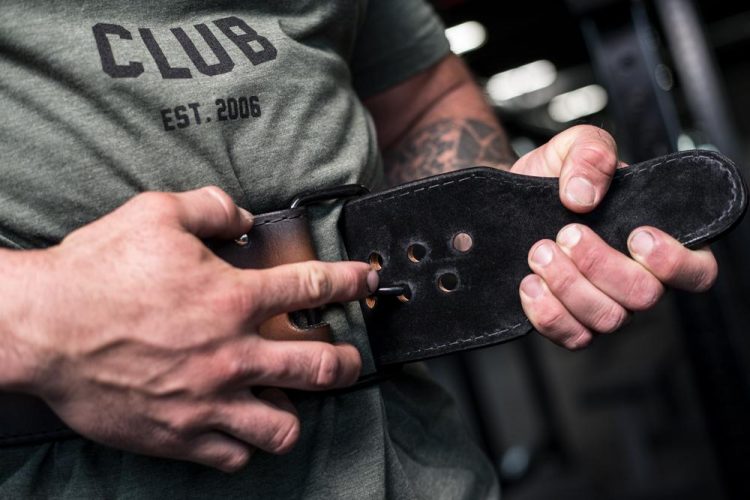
(304, 285)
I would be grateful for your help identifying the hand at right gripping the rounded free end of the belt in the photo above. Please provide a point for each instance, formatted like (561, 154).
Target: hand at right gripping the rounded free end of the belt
(581, 286)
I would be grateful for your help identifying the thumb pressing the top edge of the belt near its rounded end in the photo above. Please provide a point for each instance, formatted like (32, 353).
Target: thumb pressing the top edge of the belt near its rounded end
(589, 162)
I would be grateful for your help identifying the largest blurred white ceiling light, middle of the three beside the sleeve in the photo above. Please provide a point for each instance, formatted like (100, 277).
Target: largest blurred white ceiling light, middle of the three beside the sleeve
(521, 80)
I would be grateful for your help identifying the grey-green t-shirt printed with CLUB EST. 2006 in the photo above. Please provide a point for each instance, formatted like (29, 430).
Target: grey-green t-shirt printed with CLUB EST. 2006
(102, 99)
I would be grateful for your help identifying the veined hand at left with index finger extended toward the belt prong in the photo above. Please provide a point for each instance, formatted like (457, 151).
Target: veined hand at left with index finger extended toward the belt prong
(140, 338)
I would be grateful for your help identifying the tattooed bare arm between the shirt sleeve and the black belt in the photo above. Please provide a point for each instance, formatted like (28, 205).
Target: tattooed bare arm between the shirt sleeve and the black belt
(455, 128)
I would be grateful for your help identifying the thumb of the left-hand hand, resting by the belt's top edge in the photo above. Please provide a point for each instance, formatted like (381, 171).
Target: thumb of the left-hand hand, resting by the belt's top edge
(209, 212)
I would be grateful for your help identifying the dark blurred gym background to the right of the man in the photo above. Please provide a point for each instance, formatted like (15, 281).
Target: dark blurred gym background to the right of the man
(660, 409)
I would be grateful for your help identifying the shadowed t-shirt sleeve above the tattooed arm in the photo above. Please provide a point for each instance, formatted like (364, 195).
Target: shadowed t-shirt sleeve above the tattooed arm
(397, 39)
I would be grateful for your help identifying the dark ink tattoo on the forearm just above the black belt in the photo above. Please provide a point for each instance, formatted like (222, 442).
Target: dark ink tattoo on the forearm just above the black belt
(447, 145)
